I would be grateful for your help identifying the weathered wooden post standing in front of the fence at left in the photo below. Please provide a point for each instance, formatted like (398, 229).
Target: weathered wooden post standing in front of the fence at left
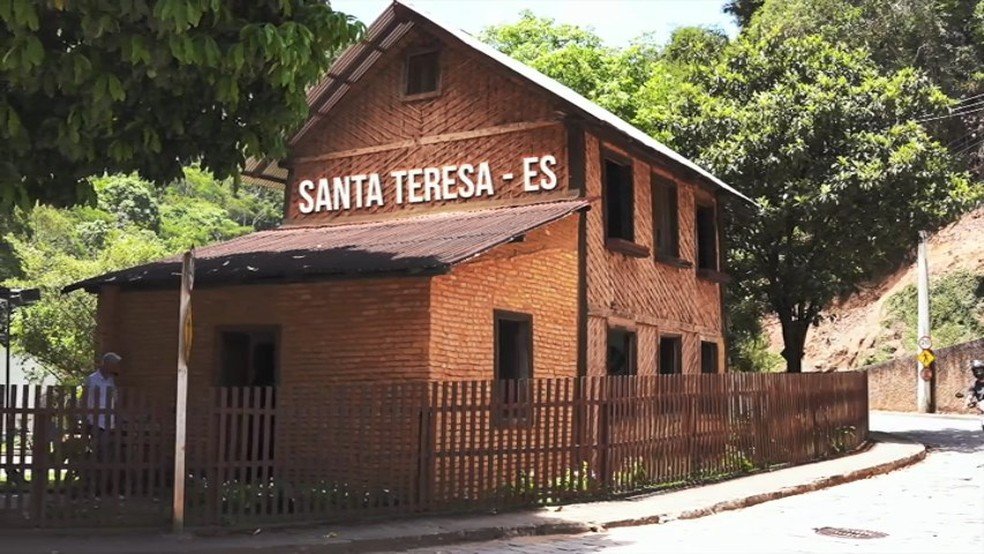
(181, 407)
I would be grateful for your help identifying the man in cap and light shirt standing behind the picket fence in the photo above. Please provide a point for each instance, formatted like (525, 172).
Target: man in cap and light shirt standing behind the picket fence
(99, 392)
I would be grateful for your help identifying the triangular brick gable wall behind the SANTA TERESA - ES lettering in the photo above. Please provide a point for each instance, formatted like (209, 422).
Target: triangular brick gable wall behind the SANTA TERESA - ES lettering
(374, 130)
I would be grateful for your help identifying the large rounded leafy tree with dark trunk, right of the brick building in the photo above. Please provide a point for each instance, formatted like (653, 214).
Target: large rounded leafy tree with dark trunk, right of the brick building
(827, 144)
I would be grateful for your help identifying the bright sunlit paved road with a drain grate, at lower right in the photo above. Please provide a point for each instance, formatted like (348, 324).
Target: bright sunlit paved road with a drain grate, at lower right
(934, 506)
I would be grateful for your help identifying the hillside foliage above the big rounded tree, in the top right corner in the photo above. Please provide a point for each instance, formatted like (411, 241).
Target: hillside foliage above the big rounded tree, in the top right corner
(942, 38)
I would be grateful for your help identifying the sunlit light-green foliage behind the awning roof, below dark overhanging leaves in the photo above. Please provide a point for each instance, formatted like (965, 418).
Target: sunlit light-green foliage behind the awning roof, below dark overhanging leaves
(132, 222)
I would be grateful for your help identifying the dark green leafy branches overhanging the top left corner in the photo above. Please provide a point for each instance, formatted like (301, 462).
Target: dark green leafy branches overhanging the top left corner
(93, 87)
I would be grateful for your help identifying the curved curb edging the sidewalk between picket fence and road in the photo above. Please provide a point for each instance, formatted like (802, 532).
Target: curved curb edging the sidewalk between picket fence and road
(572, 528)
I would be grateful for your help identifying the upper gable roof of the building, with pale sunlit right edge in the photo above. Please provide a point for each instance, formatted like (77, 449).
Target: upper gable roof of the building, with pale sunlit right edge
(388, 28)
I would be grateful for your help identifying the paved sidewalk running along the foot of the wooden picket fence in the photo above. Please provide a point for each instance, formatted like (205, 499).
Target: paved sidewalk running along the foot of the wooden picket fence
(887, 453)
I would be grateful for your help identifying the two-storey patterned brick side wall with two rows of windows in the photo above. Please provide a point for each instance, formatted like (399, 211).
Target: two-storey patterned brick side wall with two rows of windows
(651, 297)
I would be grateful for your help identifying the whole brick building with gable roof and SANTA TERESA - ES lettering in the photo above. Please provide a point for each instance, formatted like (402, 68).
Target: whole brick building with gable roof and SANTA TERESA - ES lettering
(450, 214)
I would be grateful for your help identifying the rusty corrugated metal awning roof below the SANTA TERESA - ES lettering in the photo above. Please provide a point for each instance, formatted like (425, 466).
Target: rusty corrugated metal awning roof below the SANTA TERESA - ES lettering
(422, 245)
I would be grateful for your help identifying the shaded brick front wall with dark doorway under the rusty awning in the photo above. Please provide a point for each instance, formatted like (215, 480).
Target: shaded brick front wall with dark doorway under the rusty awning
(364, 330)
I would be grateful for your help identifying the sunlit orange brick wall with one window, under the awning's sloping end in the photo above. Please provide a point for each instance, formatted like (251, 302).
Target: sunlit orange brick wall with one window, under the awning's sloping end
(538, 277)
